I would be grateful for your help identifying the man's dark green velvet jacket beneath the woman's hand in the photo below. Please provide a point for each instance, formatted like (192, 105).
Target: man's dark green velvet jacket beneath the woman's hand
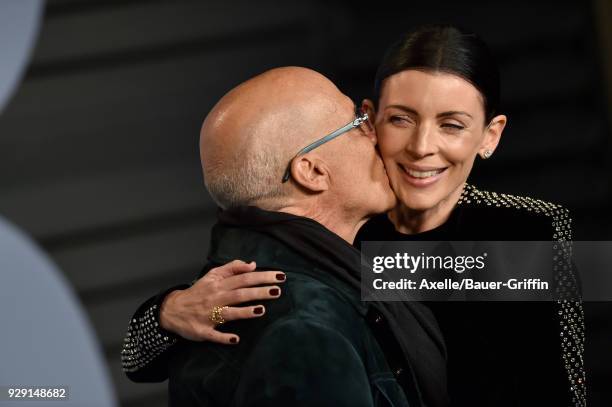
(316, 345)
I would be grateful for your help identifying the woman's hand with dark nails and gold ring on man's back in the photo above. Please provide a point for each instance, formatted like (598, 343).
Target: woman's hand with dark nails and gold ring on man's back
(188, 312)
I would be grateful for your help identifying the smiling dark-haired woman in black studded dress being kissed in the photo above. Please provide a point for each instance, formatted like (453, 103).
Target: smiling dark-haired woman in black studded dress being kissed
(436, 107)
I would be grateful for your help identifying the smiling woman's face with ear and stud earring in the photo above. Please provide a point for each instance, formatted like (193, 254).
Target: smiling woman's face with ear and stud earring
(430, 128)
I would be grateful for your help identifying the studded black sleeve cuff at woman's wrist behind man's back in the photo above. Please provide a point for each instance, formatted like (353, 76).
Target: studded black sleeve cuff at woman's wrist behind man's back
(146, 345)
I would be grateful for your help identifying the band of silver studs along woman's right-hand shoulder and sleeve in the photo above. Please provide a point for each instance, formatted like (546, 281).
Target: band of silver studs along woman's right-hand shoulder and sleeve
(570, 313)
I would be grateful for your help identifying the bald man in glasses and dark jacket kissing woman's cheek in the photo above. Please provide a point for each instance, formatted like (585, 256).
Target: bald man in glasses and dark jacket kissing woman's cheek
(293, 165)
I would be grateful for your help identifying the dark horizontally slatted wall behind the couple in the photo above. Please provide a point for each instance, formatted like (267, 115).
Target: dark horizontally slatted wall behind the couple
(98, 148)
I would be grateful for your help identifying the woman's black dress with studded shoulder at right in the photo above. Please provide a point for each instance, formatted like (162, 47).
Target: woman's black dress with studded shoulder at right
(505, 353)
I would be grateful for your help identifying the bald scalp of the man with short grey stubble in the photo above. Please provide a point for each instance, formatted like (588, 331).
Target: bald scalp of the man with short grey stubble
(251, 134)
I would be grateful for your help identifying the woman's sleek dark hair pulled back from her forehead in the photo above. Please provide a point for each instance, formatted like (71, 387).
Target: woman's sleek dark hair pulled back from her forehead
(444, 48)
